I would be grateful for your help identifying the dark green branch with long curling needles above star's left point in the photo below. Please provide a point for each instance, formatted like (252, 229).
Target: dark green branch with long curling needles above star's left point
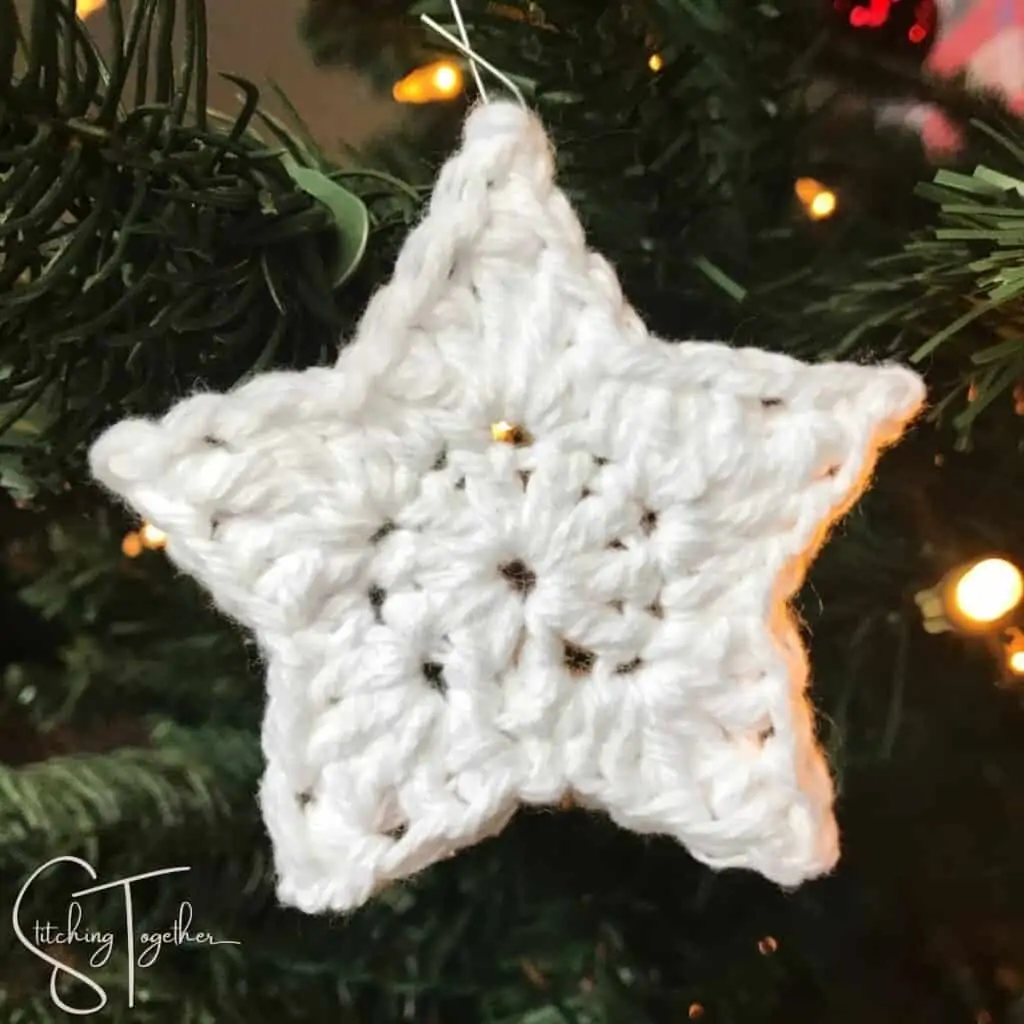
(146, 244)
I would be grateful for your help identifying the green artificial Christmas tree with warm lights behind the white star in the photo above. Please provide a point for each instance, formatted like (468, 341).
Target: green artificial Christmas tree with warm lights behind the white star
(132, 712)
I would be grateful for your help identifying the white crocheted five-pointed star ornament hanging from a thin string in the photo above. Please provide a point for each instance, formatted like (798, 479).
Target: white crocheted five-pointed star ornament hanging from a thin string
(514, 547)
